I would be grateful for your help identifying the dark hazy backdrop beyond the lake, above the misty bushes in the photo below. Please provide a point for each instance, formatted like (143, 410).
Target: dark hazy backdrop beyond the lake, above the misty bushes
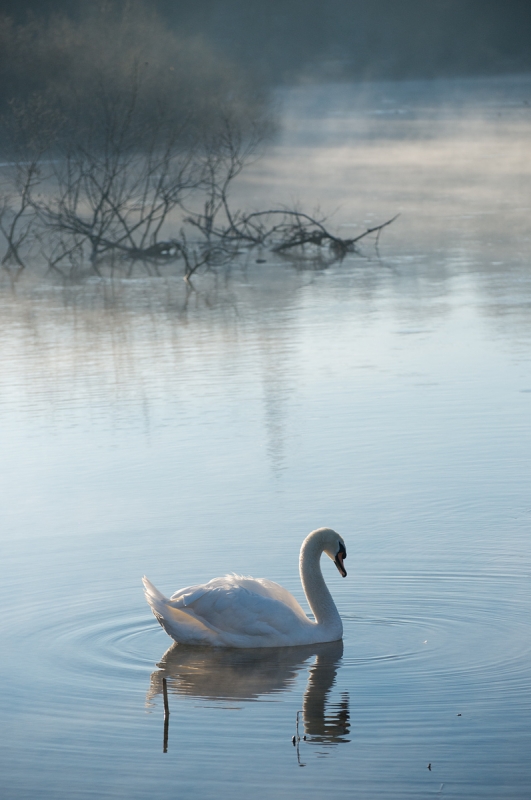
(285, 40)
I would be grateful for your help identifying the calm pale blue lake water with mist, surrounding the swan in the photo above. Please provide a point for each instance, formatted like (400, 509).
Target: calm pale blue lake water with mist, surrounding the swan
(149, 429)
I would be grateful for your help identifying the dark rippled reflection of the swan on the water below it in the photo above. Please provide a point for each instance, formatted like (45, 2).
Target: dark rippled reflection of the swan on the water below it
(231, 674)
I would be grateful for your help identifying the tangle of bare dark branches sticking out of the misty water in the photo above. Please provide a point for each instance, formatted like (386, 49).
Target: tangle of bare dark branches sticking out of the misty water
(88, 210)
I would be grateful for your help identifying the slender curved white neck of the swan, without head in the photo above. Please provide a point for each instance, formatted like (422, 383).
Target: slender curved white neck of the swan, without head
(317, 593)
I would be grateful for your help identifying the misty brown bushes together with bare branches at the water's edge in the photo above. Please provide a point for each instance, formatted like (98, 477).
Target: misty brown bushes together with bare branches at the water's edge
(120, 142)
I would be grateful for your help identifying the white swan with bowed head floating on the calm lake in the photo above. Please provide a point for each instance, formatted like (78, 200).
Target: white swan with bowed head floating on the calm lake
(248, 612)
